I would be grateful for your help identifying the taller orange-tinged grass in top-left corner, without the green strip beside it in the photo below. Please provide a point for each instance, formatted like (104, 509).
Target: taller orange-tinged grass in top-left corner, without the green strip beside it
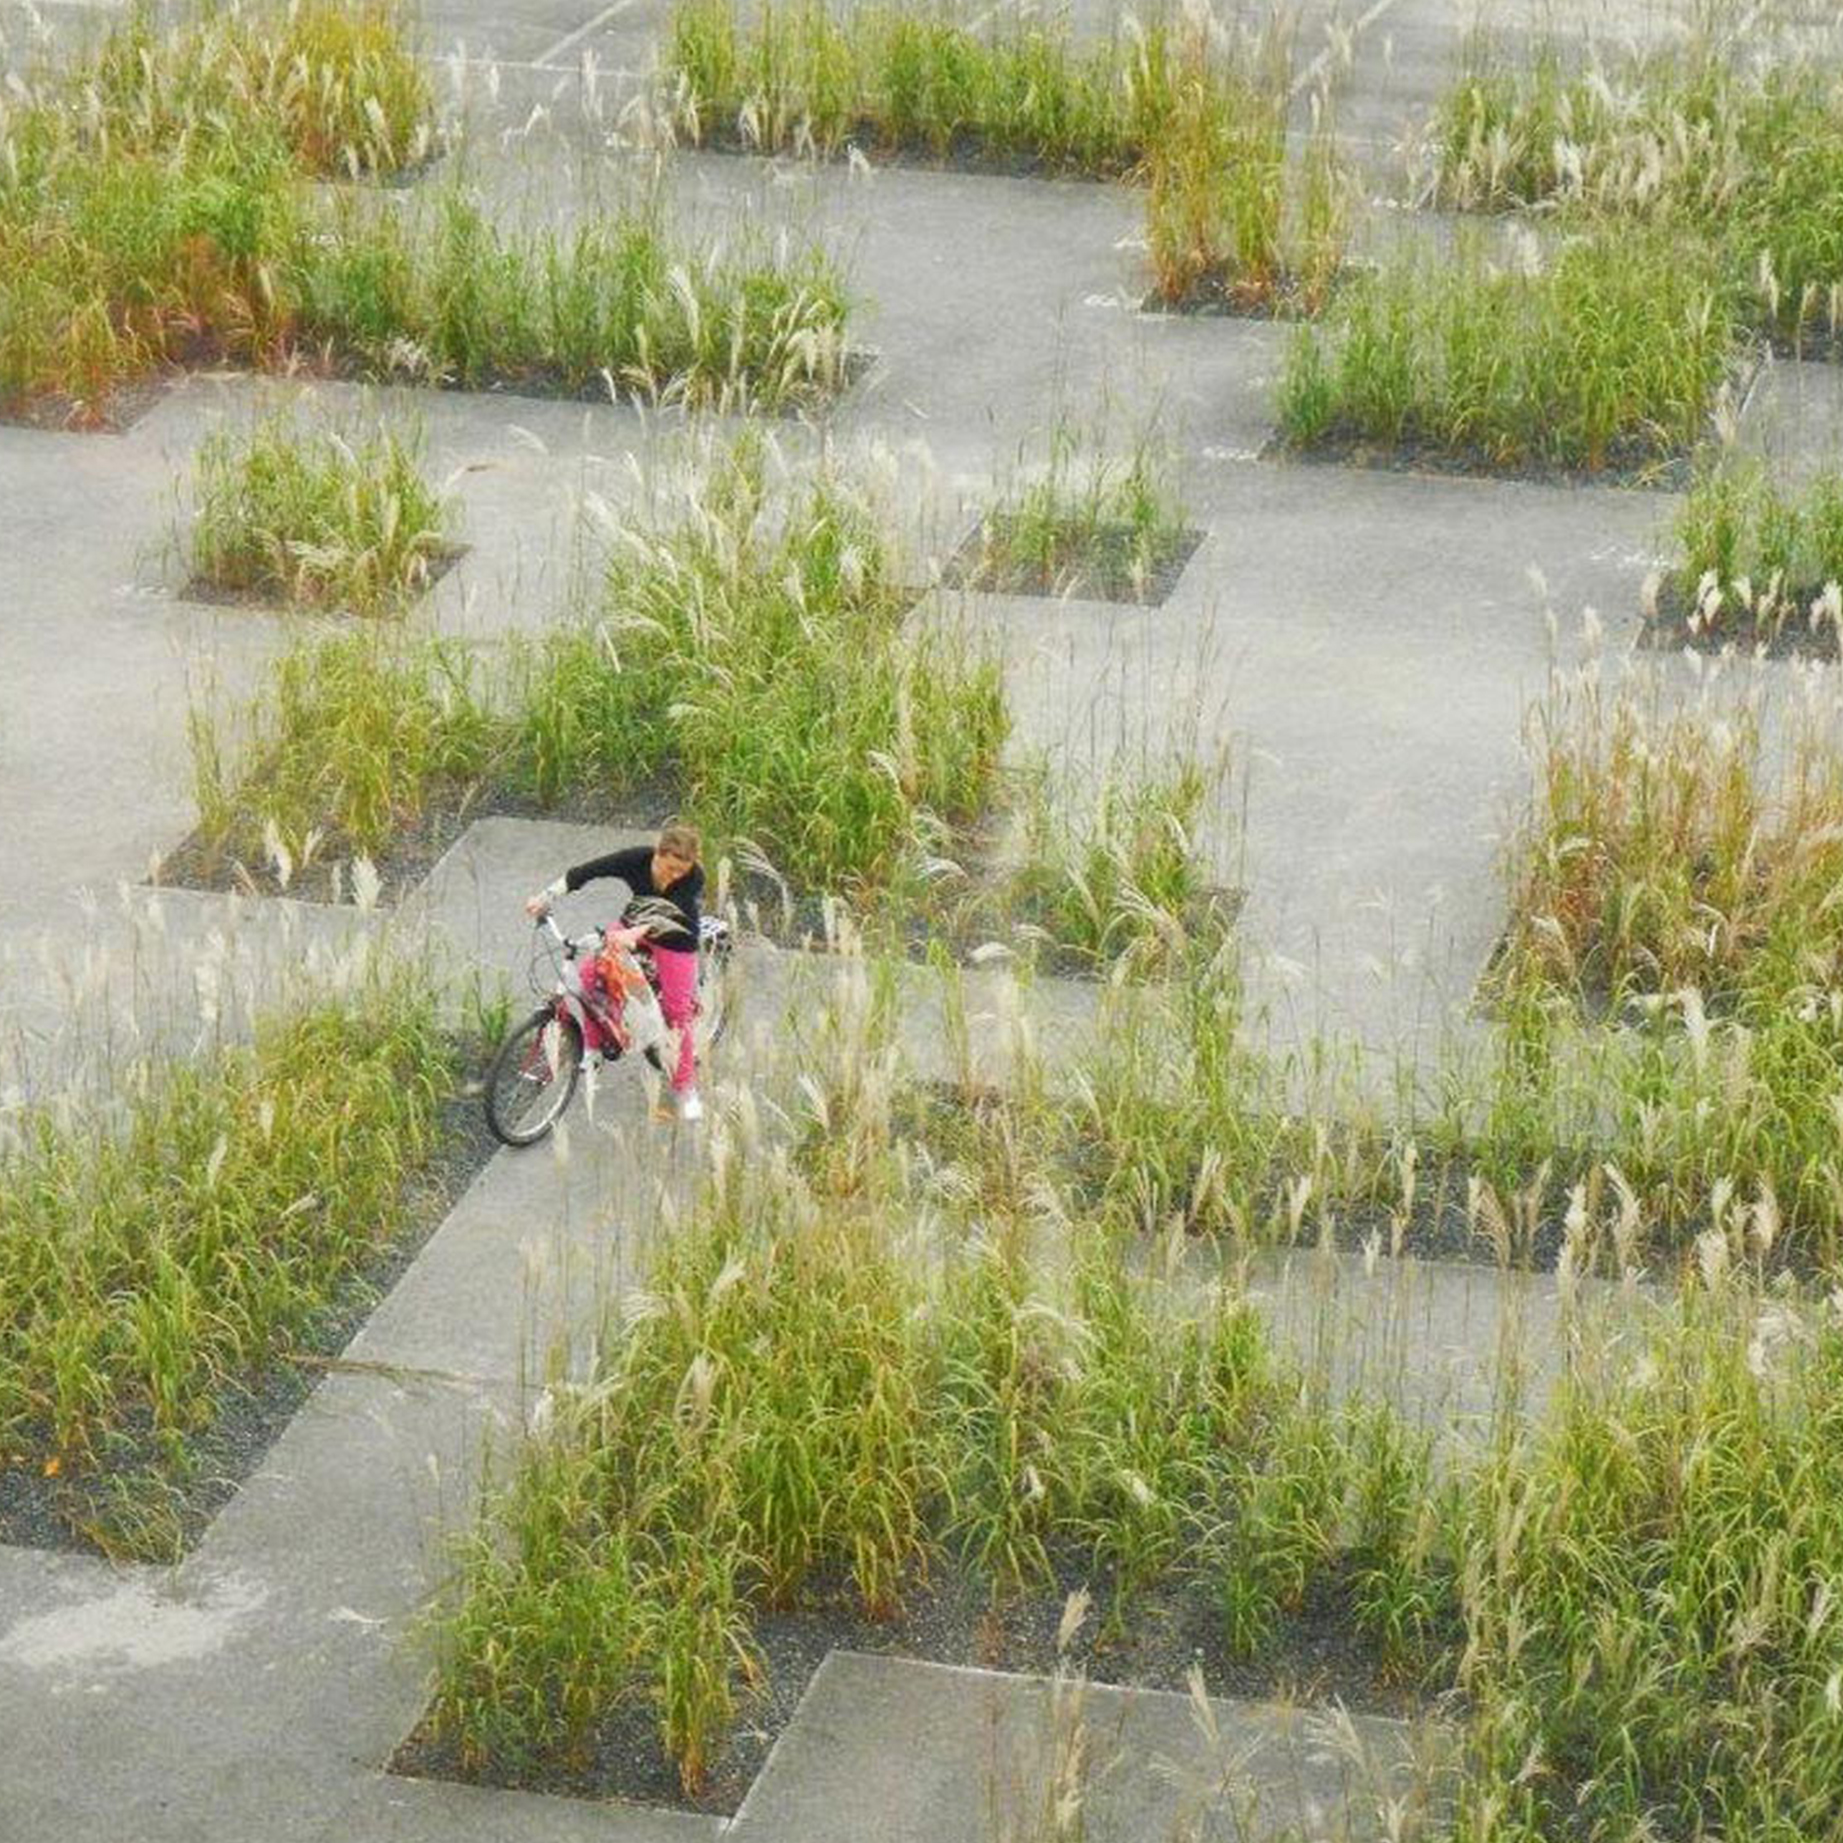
(150, 200)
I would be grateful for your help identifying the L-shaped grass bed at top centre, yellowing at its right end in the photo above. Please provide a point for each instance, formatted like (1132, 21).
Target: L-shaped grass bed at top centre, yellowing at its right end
(1195, 106)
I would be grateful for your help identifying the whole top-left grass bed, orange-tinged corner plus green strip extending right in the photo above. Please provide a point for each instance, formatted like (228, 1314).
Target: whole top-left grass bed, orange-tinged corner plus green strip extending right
(156, 209)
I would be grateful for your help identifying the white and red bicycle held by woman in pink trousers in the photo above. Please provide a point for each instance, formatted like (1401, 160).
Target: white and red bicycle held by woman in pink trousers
(535, 1070)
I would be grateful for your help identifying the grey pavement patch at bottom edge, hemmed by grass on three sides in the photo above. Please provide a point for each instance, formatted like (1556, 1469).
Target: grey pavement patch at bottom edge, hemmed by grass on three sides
(926, 1754)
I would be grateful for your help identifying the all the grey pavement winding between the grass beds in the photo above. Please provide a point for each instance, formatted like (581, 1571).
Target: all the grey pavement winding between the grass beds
(1367, 644)
